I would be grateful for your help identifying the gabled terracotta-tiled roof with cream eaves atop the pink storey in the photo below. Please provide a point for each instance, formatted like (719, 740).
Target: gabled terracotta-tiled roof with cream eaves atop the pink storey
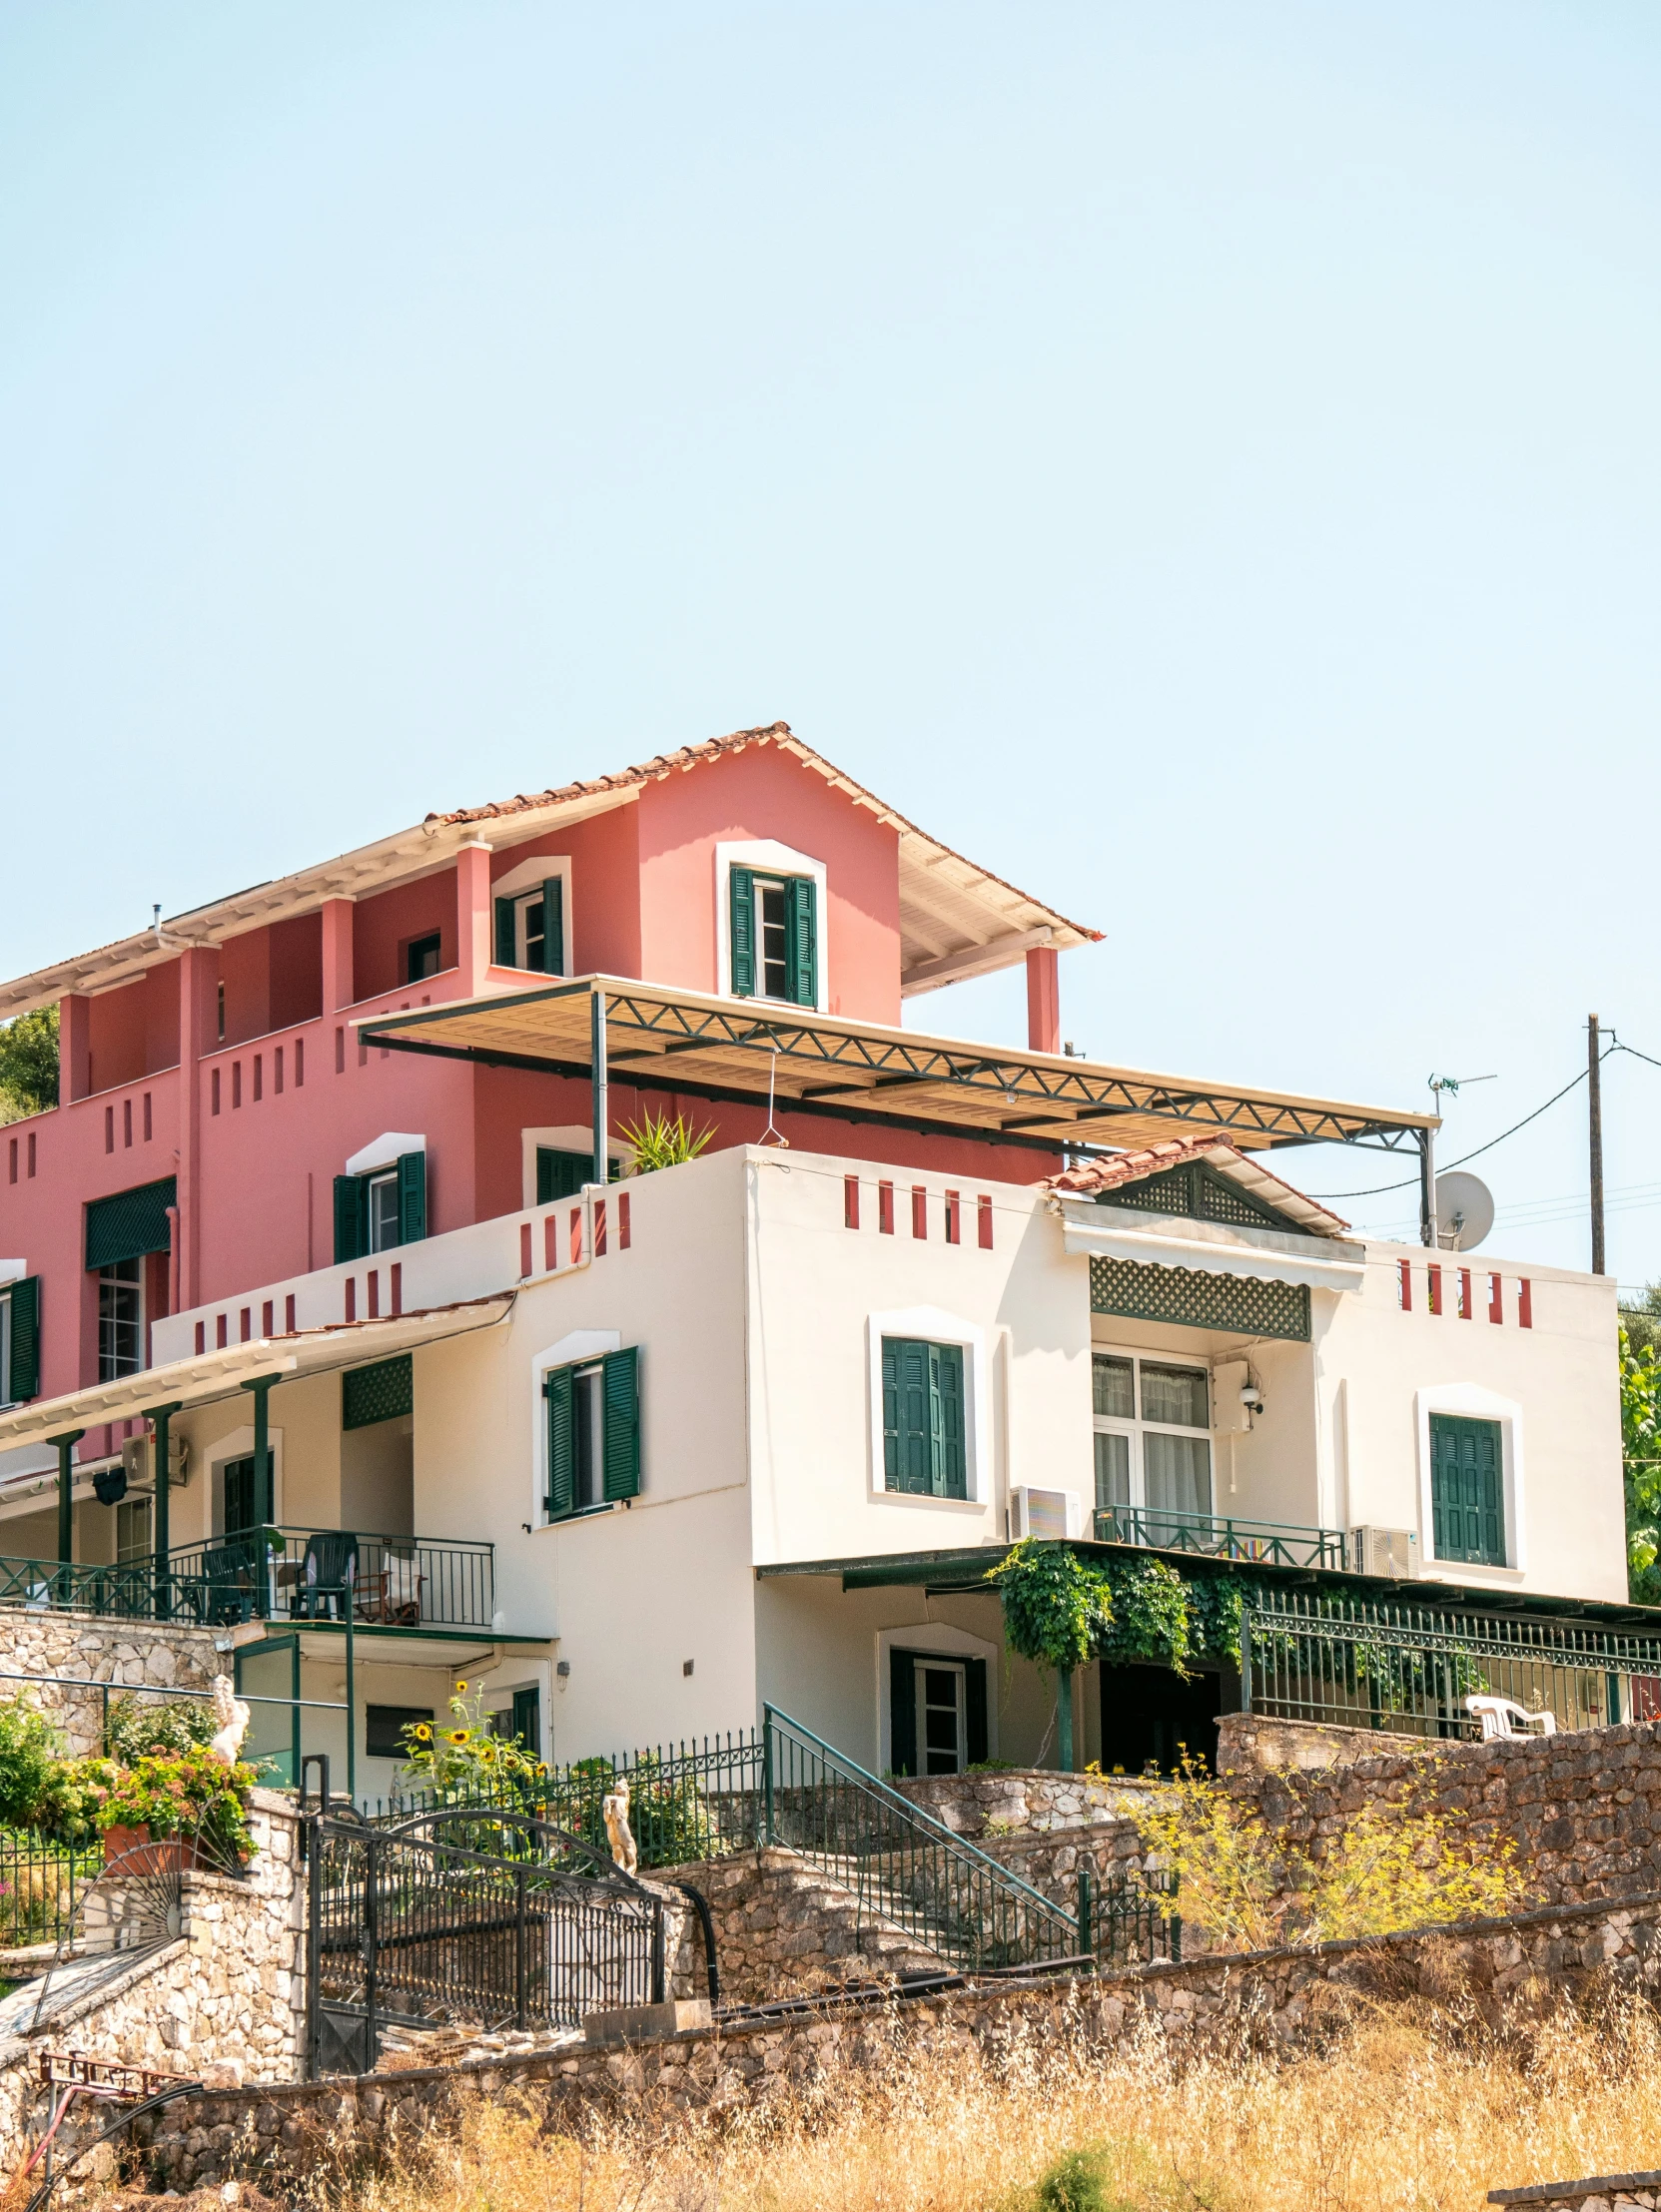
(957, 919)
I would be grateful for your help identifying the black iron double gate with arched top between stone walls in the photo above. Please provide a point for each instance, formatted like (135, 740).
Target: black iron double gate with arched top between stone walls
(474, 1914)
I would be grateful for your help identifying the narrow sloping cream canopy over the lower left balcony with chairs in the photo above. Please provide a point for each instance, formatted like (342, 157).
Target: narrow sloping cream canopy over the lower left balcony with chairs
(220, 1375)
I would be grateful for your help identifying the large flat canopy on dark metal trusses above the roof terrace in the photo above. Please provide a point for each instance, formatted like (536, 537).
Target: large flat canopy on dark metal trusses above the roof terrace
(864, 1072)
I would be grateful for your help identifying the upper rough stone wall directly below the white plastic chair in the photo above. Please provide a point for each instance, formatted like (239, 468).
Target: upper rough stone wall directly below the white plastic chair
(1585, 1811)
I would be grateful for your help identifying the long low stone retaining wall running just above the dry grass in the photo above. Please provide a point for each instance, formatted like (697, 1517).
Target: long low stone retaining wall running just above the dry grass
(1268, 1996)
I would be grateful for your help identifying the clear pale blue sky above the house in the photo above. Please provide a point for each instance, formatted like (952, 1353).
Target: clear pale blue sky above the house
(1198, 461)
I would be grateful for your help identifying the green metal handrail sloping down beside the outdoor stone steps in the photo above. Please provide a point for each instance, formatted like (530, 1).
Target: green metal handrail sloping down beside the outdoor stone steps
(899, 1861)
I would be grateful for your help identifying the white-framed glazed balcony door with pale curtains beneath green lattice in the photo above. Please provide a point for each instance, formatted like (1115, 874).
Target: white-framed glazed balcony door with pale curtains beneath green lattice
(1153, 1439)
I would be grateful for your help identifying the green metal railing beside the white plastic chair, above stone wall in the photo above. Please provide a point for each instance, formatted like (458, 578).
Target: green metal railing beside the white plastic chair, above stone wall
(1410, 1669)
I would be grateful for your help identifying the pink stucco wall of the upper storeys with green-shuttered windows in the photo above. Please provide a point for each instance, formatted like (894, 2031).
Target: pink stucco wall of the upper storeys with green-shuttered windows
(295, 1096)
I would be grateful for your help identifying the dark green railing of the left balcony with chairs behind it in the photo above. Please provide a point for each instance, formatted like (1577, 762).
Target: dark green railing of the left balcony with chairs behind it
(278, 1576)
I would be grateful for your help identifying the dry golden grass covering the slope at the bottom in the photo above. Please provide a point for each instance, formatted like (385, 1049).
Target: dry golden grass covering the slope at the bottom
(1397, 2111)
